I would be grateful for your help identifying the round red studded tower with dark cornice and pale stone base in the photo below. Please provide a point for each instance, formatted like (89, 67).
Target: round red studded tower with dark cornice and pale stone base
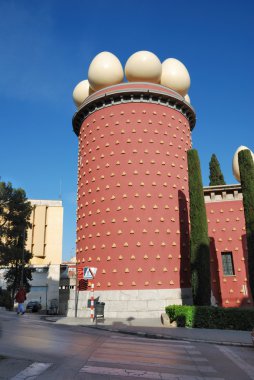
(132, 218)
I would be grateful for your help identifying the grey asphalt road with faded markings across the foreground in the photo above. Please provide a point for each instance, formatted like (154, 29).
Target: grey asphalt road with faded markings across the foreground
(31, 348)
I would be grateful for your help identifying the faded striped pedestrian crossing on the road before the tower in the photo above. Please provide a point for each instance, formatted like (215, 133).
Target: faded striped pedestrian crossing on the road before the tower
(154, 359)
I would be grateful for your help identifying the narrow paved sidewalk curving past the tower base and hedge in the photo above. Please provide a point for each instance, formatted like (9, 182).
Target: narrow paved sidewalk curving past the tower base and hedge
(153, 328)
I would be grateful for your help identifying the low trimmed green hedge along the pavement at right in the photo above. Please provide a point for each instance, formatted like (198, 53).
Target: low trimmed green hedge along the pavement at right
(211, 317)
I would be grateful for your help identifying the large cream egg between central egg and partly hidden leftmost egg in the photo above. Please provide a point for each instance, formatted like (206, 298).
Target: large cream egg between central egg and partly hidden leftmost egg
(105, 70)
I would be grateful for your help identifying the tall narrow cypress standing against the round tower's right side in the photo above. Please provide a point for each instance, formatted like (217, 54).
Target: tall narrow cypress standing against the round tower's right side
(199, 240)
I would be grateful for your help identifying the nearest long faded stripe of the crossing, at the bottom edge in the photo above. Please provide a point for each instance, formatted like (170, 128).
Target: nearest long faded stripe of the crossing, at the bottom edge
(137, 373)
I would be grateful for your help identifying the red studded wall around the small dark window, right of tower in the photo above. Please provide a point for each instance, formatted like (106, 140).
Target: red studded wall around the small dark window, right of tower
(226, 227)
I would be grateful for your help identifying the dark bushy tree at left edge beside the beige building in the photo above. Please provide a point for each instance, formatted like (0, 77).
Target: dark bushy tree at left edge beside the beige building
(15, 211)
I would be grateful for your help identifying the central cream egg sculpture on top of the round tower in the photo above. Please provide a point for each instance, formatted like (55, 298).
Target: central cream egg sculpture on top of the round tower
(143, 66)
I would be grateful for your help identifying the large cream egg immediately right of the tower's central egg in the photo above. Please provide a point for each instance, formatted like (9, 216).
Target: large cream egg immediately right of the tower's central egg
(175, 76)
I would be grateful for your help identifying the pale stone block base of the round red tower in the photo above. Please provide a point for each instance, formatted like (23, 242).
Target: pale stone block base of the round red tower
(131, 303)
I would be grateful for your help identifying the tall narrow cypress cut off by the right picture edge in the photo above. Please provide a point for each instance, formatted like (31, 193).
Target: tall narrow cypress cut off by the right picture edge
(246, 166)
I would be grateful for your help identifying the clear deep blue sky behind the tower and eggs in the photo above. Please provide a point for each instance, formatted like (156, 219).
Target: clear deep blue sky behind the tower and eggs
(46, 48)
